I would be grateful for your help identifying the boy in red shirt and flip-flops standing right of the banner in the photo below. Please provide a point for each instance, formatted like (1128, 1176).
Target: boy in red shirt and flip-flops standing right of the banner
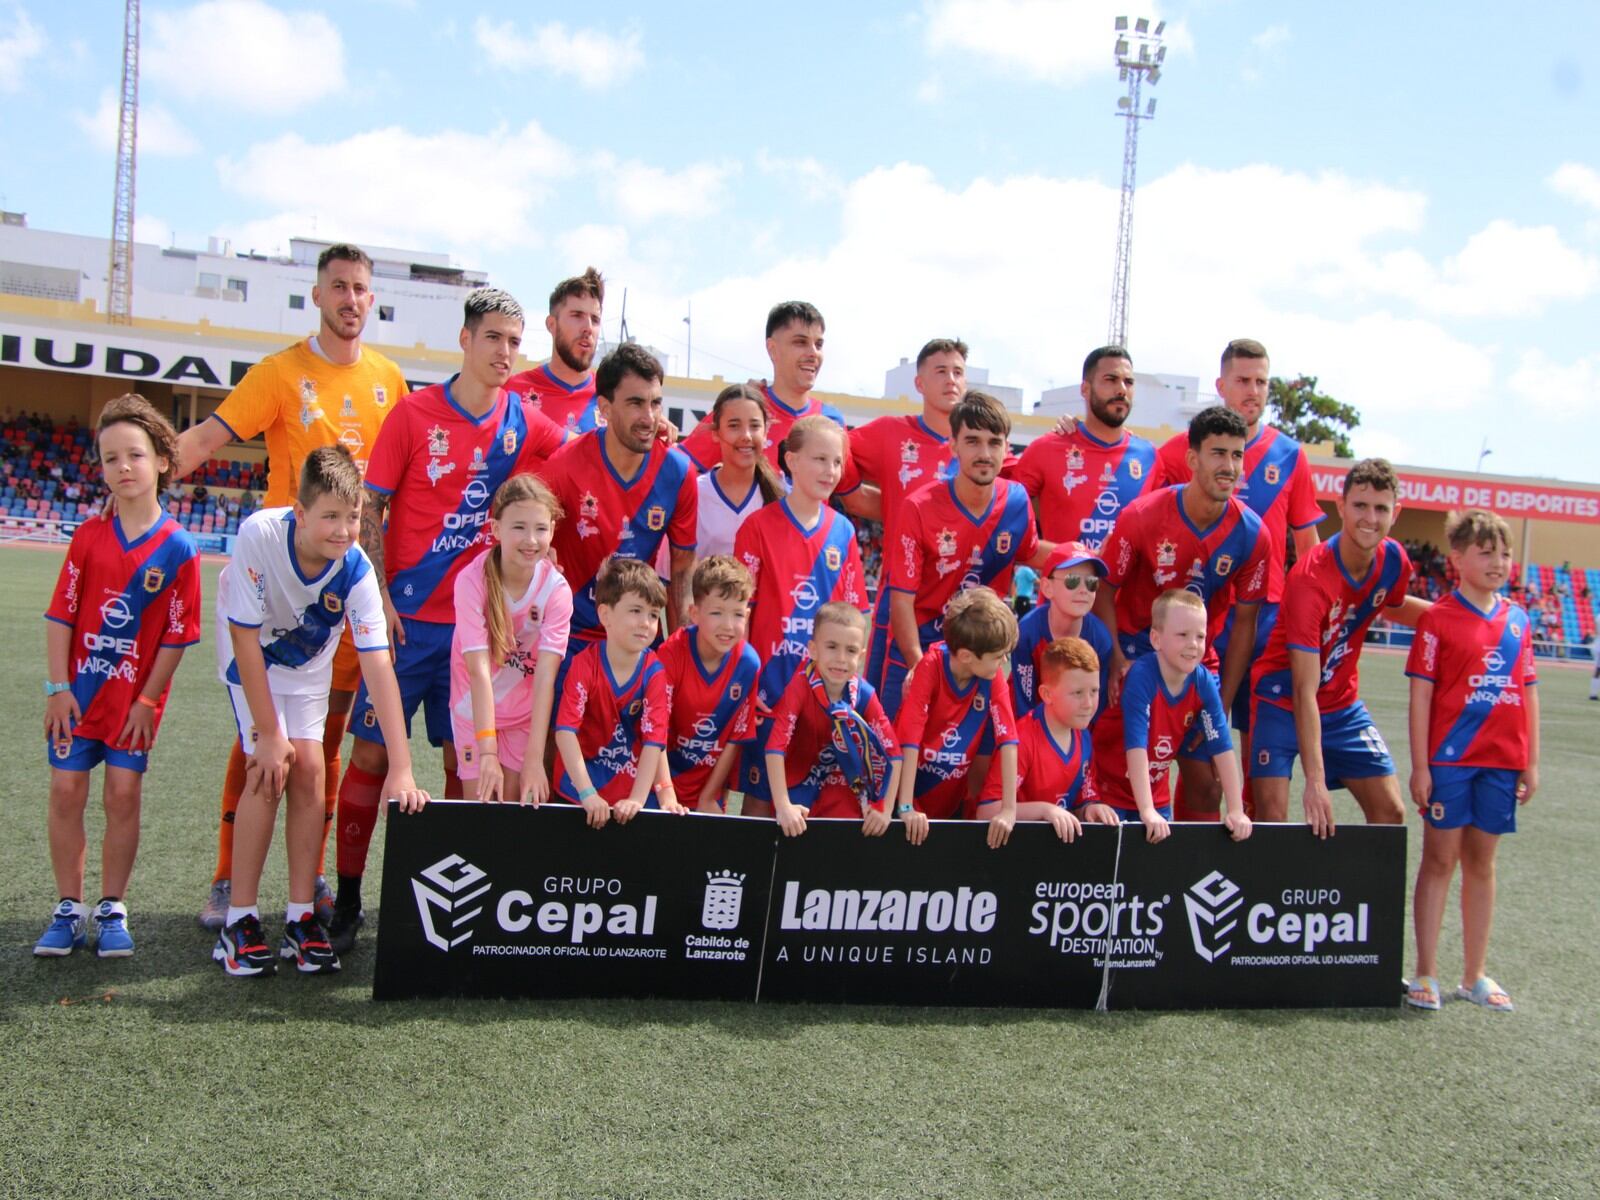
(1474, 750)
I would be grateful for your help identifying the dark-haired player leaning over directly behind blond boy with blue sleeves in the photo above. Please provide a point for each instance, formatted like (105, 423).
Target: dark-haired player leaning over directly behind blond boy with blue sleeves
(1199, 537)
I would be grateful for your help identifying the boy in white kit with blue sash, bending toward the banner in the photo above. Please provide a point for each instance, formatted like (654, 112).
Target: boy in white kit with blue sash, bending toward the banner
(295, 580)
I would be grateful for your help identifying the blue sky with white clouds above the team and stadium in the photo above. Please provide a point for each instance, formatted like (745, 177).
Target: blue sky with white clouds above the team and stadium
(1402, 201)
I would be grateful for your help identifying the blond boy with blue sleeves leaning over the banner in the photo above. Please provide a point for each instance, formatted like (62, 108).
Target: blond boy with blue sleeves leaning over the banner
(1170, 703)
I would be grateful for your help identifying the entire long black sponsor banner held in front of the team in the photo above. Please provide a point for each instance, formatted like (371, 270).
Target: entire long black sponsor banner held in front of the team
(505, 902)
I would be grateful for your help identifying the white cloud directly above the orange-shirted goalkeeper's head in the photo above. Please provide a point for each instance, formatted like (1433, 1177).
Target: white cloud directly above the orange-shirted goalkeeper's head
(479, 190)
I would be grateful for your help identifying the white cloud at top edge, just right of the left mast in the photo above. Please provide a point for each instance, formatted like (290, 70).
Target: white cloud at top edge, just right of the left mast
(247, 55)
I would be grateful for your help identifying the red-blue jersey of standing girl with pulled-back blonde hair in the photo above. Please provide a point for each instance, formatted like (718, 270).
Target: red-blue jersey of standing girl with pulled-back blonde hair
(796, 574)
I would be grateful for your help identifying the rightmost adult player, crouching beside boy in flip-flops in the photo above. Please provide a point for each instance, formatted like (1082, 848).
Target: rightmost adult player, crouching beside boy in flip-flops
(1306, 687)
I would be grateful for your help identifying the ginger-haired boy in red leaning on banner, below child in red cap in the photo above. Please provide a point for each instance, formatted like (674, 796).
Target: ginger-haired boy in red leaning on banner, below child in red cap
(1054, 748)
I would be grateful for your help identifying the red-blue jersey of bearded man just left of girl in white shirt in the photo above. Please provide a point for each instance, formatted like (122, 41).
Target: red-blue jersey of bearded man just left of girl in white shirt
(607, 514)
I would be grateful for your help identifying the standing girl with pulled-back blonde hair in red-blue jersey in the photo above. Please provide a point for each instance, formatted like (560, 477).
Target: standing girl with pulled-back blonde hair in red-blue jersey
(802, 556)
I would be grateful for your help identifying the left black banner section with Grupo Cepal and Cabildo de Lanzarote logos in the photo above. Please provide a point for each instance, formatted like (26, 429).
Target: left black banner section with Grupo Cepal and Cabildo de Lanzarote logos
(500, 900)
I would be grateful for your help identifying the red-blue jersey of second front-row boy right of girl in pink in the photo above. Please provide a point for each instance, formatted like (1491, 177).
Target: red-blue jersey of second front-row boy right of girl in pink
(710, 711)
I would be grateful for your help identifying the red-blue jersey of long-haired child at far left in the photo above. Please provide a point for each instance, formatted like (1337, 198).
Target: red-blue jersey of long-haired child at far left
(126, 602)
